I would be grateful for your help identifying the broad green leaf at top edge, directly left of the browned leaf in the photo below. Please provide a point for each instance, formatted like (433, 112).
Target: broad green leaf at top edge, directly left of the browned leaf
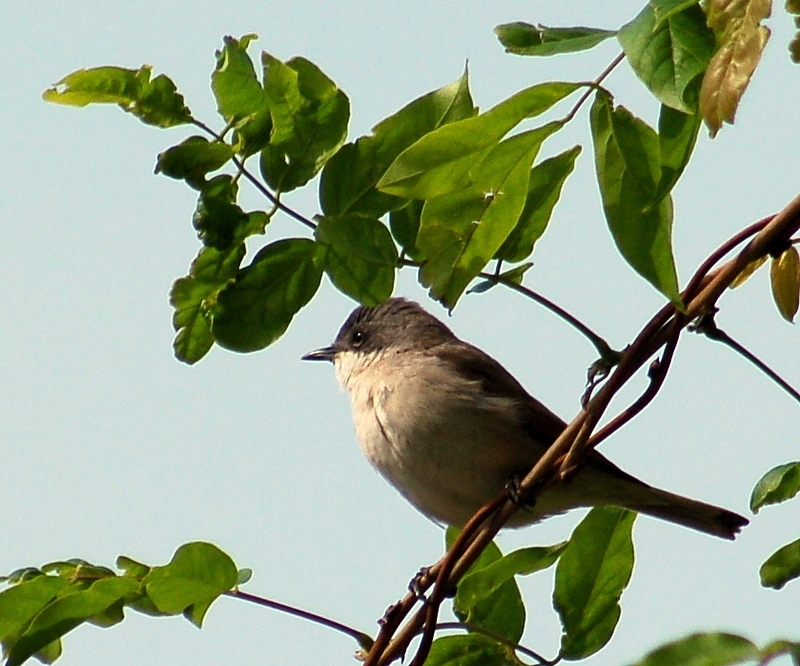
(668, 55)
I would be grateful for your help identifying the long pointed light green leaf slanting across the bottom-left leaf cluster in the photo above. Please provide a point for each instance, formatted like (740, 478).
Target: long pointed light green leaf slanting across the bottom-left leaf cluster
(65, 613)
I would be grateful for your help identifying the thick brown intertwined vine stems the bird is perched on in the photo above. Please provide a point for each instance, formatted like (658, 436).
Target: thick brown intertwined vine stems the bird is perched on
(561, 458)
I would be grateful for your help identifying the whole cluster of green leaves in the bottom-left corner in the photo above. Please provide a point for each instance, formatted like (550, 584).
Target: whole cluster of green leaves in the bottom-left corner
(43, 604)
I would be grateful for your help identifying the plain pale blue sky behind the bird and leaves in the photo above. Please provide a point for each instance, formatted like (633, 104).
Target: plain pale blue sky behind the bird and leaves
(110, 446)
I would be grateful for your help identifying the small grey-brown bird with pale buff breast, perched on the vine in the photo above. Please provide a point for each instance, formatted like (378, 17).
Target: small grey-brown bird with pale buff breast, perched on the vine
(449, 427)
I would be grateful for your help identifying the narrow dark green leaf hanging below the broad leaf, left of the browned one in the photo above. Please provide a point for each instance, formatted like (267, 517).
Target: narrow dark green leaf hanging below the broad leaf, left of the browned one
(677, 135)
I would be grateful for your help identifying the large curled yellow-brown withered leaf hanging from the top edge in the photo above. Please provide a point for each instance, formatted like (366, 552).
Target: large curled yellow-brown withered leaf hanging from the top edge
(742, 38)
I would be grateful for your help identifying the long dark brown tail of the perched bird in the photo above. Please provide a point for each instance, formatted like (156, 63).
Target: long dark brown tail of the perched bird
(684, 511)
